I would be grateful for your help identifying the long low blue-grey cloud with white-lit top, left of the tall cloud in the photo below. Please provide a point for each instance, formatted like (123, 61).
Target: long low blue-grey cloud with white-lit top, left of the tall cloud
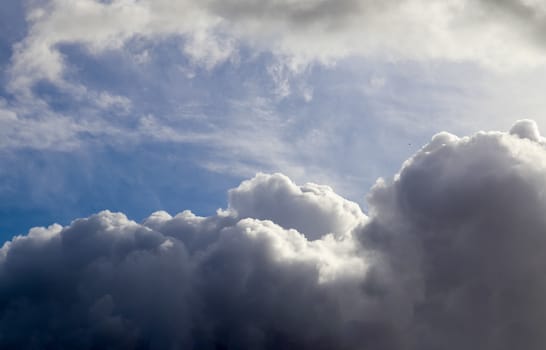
(179, 282)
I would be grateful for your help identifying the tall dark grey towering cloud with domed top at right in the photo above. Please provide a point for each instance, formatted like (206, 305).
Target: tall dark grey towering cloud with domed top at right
(462, 224)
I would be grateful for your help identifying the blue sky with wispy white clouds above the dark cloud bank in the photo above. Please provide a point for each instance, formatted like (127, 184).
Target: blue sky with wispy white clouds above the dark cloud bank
(138, 106)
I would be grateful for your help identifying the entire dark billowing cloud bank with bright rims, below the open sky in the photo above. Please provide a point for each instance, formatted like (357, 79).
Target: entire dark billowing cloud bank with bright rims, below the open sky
(450, 256)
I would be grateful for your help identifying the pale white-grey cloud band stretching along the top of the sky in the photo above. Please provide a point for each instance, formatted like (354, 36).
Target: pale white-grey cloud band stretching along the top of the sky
(498, 34)
